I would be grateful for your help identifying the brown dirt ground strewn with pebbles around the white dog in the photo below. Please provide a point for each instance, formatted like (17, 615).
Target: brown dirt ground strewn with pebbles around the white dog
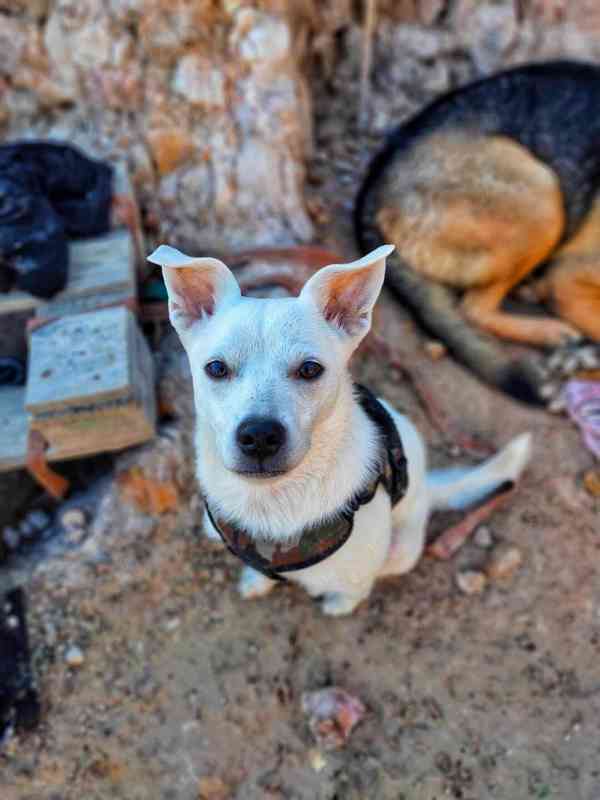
(187, 692)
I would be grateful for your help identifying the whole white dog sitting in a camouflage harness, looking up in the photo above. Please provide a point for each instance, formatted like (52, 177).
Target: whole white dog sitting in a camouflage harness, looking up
(303, 472)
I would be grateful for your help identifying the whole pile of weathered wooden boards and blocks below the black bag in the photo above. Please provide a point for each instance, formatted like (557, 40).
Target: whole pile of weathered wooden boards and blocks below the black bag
(76, 412)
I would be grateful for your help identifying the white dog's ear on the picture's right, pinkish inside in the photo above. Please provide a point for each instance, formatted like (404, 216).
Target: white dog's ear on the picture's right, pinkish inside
(346, 293)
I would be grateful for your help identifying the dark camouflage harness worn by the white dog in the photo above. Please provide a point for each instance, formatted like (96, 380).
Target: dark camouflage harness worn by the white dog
(318, 542)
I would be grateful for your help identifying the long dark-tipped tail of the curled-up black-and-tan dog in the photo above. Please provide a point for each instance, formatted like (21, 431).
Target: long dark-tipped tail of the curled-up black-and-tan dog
(435, 309)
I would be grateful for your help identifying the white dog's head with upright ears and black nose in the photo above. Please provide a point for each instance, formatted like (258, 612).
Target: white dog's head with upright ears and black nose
(265, 372)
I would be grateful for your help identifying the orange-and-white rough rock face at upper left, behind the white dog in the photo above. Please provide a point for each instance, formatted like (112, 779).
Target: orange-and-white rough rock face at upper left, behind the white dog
(204, 98)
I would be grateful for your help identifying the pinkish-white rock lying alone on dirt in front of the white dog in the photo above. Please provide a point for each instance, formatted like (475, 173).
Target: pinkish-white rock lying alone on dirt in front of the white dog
(333, 713)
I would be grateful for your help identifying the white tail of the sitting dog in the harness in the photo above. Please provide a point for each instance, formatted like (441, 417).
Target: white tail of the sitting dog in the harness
(460, 487)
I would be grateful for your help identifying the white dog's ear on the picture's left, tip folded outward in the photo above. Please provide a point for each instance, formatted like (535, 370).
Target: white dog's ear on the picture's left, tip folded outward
(197, 287)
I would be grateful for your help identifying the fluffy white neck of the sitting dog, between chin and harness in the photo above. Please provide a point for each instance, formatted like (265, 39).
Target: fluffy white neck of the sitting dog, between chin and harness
(342, 457)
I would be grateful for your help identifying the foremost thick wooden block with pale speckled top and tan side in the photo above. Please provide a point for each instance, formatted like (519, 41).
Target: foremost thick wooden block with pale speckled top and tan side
(90, 385)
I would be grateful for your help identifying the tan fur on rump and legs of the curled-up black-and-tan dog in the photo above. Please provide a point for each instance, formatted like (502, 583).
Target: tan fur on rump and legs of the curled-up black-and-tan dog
(479, 214)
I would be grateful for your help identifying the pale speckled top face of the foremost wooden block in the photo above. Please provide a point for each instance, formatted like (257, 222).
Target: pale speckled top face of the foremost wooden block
(80, 359)
